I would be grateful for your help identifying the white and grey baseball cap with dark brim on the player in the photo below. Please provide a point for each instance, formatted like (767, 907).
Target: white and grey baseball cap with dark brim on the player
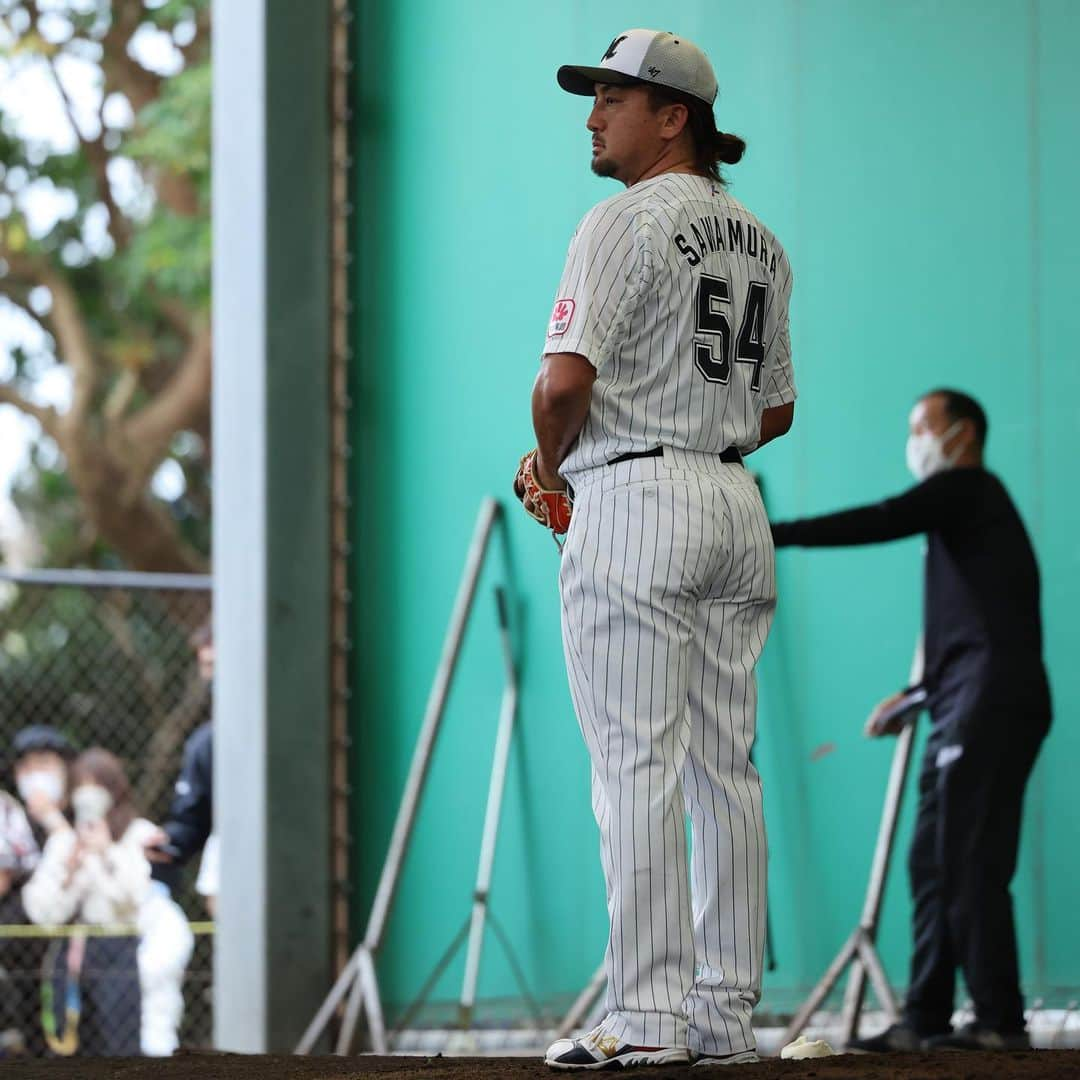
(651, 57)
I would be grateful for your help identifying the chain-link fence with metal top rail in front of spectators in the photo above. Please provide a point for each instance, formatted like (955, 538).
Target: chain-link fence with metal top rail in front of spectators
(109, 661)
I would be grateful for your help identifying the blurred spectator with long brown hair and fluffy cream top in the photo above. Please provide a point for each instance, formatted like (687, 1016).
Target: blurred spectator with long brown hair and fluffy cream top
(96, 874)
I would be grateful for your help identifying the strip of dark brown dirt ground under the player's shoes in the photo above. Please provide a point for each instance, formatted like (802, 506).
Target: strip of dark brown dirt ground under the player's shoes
(961, 1066)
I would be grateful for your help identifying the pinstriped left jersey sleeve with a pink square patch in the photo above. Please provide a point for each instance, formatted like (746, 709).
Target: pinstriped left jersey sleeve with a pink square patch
(607, 271)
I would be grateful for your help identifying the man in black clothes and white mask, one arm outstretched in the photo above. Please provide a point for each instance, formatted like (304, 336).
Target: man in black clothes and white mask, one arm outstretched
(990, 706)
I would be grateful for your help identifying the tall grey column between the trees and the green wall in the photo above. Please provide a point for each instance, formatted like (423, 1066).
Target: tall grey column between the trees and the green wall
(272, 514)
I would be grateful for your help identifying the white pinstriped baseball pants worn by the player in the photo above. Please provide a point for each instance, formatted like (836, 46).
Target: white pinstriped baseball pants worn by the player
(668, 588)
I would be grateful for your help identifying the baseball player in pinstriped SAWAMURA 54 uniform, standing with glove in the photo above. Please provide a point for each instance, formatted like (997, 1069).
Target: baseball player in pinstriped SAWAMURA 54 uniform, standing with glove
(668, 359)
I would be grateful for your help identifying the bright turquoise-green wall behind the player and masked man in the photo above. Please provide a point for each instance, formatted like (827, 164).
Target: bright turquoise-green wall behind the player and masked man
(919, 160)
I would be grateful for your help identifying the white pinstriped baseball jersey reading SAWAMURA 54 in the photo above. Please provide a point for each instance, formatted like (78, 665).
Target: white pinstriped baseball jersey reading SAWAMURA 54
(679, 298)
